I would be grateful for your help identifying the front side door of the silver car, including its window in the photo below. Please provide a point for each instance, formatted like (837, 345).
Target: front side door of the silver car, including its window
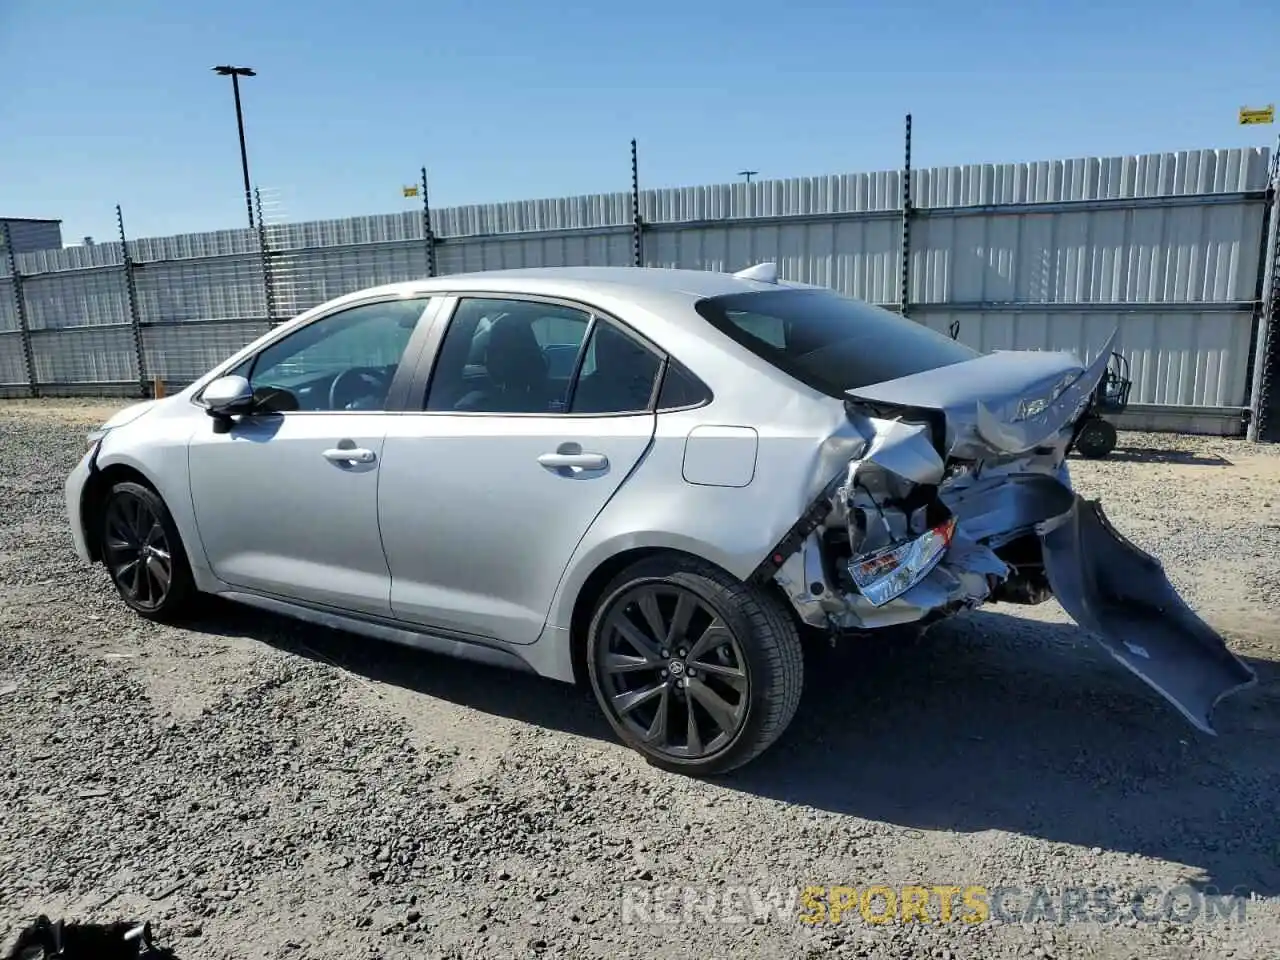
(287, 500)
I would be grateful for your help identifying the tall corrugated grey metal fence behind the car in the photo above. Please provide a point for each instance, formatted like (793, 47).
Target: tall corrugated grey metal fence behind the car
(1167, 248)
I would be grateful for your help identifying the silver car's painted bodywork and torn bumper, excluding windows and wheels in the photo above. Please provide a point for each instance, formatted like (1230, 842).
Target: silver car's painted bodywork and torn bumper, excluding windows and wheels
(456, 537)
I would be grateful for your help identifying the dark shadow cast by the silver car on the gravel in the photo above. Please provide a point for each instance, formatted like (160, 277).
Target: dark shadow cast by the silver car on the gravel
(990, 723)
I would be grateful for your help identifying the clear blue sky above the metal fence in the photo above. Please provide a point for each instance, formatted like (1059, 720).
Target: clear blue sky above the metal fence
(113, 102)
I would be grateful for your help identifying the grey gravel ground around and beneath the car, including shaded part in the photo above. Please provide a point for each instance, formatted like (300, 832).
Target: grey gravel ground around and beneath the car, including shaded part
(262, 789)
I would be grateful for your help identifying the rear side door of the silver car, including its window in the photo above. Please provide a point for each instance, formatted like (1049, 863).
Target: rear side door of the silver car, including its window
(486, 493)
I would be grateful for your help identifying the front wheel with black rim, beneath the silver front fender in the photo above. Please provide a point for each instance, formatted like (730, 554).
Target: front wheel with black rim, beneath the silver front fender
(144, 554)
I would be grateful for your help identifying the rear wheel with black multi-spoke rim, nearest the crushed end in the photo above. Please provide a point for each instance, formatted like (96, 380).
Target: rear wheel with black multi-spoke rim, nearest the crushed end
(693, 669)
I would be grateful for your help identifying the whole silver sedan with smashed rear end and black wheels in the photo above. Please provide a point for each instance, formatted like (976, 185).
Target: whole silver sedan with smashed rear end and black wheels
(652, 482)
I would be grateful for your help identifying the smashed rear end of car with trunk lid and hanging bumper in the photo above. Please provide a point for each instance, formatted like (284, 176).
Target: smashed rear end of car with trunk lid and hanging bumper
(998, 472)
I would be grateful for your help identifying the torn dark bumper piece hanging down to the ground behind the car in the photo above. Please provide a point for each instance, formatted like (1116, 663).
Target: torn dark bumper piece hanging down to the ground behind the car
(1122, 596)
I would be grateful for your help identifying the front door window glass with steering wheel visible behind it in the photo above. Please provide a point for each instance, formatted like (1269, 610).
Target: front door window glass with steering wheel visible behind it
(344, 362)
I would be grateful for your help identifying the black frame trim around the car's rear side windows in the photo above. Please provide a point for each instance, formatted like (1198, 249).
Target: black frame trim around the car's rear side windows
(444, 321)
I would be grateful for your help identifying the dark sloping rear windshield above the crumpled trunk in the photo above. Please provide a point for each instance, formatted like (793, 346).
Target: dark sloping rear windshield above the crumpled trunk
(830, 342)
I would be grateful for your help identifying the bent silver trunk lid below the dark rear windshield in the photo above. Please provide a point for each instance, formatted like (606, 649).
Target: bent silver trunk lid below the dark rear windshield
(1007, 403)
